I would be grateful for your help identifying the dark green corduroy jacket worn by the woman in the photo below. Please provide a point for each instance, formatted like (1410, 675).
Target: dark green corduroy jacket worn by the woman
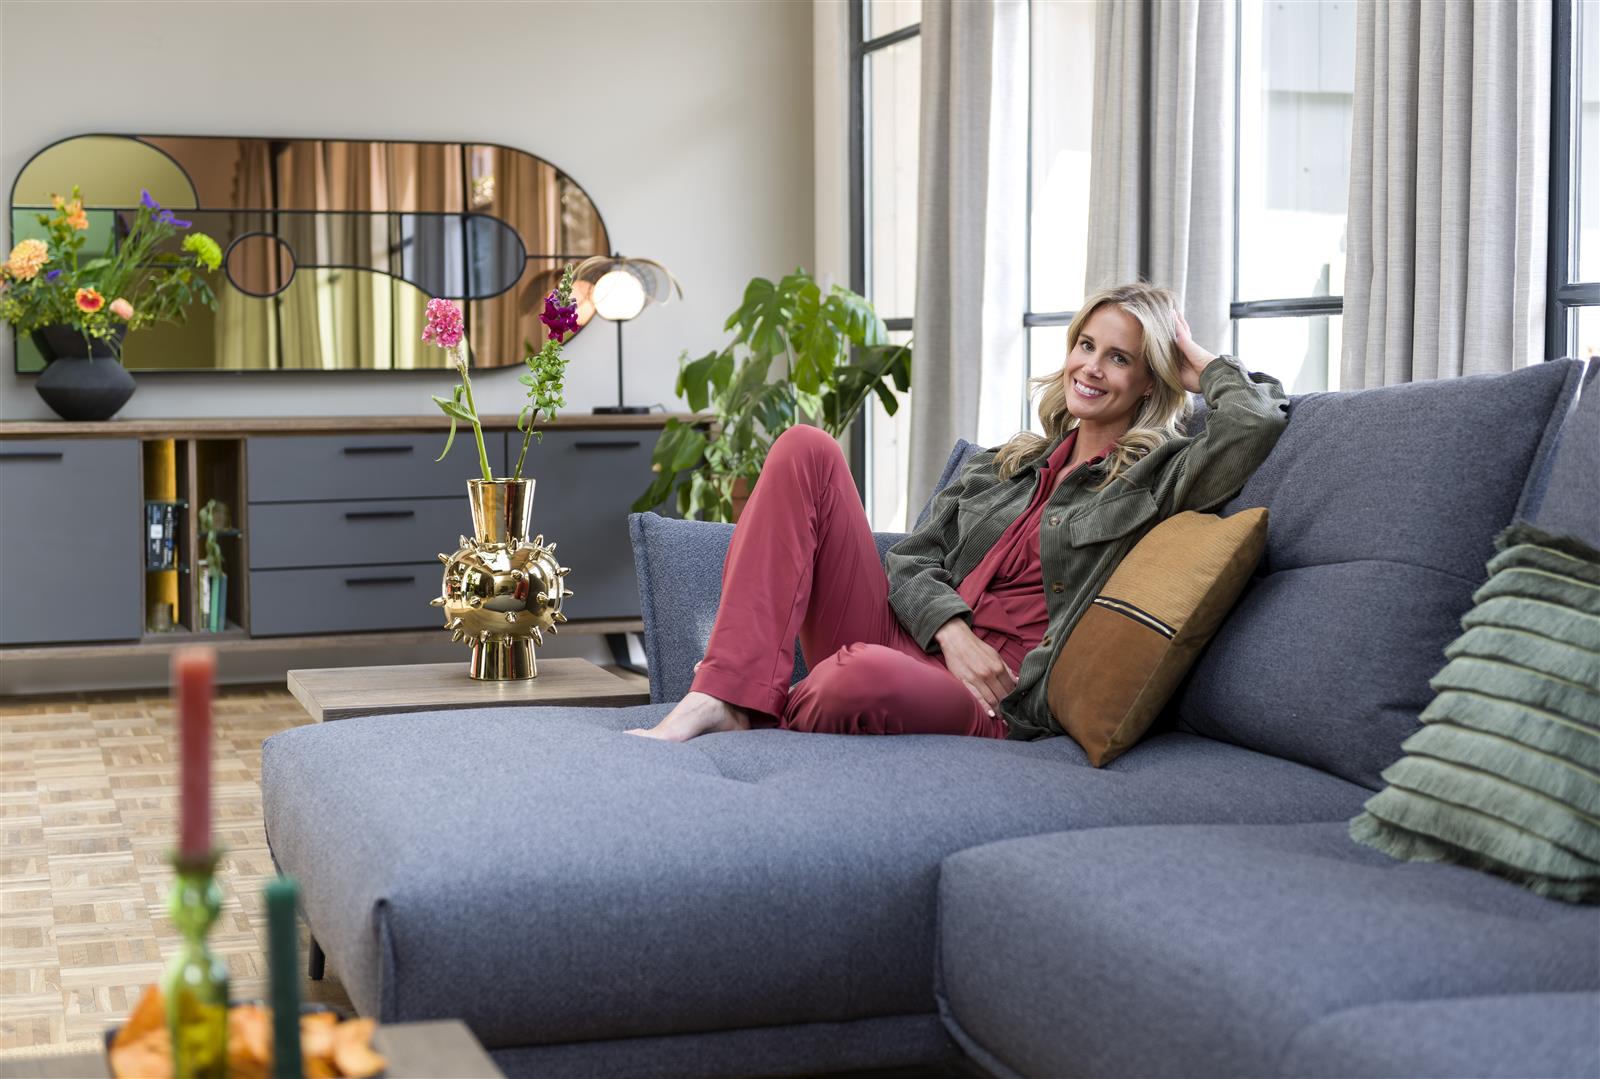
(1084, 532)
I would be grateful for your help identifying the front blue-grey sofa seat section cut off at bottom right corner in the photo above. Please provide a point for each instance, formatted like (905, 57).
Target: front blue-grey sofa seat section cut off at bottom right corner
(1513, 1037)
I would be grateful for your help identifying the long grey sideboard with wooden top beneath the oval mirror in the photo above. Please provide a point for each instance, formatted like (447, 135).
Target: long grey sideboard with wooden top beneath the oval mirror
(337, 524)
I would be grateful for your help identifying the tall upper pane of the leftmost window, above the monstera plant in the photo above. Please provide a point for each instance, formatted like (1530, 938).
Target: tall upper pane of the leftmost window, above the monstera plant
(894, 76)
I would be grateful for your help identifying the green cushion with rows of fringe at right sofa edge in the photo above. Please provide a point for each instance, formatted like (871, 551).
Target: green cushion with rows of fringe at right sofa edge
(1505, 774)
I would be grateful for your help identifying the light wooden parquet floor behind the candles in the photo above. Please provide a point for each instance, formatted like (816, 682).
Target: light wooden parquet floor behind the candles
(89, 809)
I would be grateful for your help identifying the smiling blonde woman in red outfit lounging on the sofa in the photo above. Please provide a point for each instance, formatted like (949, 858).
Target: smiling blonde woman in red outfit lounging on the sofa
(959, 635)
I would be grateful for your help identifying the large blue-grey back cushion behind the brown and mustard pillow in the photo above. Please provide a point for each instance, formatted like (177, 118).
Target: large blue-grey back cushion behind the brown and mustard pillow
(1383, 511)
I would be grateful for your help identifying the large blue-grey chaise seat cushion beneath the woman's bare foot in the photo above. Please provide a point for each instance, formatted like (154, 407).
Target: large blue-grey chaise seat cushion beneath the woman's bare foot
(617, 888)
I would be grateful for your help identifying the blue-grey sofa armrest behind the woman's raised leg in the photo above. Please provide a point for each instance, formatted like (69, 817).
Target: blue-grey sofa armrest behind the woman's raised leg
(679, 566)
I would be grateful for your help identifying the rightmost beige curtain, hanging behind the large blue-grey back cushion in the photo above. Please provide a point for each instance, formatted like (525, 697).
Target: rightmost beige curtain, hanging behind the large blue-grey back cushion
(1449, 191)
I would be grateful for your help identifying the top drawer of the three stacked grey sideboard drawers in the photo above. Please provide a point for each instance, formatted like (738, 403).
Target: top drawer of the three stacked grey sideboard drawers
(306, 468)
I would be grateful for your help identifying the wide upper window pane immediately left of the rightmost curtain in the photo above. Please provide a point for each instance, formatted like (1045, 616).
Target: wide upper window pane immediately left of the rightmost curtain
(1295, 103)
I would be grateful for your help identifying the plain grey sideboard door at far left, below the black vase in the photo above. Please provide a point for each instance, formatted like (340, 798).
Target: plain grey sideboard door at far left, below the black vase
(71, 545)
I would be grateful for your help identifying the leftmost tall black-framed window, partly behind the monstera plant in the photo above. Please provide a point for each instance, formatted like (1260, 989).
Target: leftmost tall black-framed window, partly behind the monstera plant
(886, 100)
